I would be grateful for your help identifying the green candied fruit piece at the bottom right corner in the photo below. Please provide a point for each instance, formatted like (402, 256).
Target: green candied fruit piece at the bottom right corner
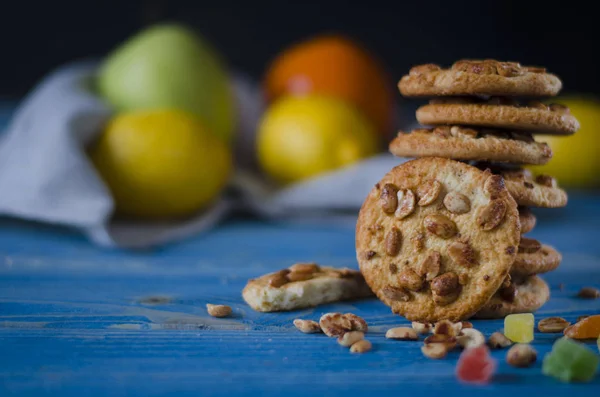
(570, 361)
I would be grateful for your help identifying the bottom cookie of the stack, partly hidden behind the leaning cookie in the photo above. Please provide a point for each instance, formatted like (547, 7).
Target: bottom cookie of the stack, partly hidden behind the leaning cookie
(524, 296)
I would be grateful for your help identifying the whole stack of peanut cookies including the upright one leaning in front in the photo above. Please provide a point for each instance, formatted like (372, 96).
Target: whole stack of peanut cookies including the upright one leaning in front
(441, 237)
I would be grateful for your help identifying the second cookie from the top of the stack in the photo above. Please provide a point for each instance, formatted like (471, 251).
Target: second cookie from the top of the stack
(500, 113)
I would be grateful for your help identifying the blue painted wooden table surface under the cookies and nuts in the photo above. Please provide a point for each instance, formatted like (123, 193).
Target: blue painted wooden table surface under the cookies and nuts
(78, 320)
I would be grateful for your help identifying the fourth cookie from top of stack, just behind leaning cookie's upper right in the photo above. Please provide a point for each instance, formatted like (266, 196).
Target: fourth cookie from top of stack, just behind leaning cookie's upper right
(527, 190)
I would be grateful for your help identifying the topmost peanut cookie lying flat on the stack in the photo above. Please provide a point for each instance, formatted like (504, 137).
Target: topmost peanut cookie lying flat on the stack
(479, 77)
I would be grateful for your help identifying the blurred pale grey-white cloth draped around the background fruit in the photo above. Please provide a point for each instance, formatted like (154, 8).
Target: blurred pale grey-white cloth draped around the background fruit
(45, 174)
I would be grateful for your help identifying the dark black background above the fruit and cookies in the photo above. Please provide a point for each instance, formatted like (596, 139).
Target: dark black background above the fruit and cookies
(562, 36)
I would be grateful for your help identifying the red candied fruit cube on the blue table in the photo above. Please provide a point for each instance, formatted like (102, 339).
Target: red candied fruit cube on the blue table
(476, 365)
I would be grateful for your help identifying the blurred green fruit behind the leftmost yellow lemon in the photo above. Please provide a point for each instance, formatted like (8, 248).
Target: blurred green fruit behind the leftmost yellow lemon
(167, 66)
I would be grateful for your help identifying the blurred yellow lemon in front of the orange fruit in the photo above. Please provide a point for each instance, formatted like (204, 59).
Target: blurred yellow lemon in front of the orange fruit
(300, 137)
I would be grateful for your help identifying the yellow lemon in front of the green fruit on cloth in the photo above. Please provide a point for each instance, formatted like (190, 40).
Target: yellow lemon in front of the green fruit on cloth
(161, 163)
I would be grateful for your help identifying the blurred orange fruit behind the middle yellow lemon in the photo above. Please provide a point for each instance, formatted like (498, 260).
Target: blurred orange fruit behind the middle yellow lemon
(334, 66)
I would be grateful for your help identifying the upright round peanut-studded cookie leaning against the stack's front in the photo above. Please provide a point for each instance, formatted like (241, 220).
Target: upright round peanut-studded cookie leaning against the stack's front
(435, 238)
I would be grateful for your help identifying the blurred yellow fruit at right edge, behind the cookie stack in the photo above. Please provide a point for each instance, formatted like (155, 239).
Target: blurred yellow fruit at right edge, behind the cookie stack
(576, 162)
